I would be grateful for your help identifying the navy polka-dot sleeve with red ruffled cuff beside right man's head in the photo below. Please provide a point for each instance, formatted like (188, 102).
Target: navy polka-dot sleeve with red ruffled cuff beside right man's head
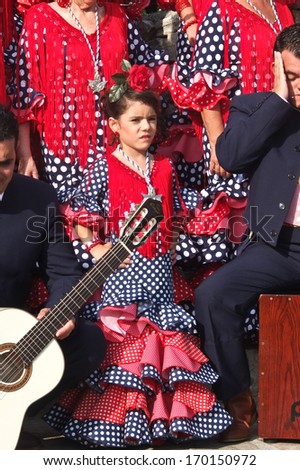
(206, 80)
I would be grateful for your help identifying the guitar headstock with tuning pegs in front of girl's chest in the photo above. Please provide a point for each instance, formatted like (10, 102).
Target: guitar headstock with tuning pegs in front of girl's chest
(142, 222)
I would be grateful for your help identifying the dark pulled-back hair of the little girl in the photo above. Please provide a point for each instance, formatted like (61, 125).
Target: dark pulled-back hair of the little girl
(148, 97)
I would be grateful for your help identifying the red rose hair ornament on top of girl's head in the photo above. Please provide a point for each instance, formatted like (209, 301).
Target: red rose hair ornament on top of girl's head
(137, 77)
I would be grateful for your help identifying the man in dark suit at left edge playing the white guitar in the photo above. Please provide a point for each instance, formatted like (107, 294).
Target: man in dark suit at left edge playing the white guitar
(31, 235)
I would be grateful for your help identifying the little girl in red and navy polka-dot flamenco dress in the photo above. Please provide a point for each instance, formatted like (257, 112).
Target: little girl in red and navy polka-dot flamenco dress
(154, 383)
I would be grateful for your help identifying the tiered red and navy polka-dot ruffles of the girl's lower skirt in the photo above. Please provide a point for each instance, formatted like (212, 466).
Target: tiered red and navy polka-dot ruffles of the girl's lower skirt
(153, 386)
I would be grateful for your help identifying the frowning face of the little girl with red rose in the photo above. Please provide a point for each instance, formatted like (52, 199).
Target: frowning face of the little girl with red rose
(136, 127)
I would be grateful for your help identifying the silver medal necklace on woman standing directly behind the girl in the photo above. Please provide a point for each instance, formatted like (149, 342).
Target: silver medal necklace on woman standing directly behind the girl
(97, 84)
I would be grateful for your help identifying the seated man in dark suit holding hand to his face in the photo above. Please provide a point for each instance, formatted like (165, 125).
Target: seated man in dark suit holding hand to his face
(262, 139)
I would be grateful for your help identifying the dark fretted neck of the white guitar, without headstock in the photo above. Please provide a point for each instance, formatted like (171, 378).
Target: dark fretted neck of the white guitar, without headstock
(44, 330)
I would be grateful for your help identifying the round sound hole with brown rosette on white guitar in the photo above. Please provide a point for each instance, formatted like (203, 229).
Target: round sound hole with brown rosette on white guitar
(12, 368)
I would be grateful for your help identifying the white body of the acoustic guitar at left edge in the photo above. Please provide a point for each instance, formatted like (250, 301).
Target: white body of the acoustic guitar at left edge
(19, 389)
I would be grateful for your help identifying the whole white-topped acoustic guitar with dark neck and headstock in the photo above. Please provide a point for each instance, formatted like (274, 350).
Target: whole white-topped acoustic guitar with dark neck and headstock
(31, 361)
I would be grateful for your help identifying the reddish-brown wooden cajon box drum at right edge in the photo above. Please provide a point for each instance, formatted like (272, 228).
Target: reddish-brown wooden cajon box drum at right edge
(279, 367)
